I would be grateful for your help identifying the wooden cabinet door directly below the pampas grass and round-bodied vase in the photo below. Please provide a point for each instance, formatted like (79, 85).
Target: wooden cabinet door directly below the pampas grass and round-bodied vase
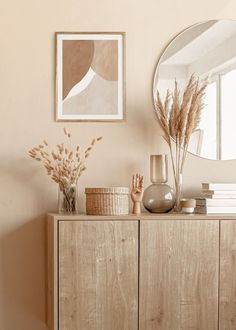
(179, 266)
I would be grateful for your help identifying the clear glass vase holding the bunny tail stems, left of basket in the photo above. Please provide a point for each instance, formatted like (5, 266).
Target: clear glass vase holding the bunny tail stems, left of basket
(68, 199)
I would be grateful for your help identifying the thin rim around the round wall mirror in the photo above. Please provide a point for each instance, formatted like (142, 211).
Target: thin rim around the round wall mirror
(159, 61)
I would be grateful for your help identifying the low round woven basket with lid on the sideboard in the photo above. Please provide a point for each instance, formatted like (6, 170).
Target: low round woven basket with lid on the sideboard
(107, 201)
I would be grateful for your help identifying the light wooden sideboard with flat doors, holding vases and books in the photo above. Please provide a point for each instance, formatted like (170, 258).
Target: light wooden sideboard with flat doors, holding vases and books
(162, 271)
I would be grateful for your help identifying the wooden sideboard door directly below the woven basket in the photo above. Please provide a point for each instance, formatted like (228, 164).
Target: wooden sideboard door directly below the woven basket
(98, 275)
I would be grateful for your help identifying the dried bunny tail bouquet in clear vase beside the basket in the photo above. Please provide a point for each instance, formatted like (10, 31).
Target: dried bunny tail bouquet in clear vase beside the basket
(64, 165)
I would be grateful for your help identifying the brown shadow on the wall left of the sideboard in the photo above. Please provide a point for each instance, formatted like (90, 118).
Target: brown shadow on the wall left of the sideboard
(23, 276)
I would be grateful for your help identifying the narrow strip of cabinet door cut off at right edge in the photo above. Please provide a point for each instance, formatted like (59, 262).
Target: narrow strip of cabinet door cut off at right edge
(228, 276)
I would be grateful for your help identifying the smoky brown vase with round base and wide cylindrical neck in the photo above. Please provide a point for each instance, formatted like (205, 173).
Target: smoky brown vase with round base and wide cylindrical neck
(159, 197)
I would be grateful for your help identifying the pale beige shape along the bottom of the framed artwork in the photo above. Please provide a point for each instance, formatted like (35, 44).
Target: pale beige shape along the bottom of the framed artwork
(99, 98)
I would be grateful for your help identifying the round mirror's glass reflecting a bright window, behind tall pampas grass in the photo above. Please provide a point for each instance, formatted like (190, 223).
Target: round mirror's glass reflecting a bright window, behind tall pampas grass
(206, 49)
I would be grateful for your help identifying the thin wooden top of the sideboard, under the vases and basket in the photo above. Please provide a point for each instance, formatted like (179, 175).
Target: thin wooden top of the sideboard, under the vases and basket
(141, 217)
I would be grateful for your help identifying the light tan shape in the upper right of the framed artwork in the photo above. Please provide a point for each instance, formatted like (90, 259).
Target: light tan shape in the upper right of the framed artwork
(105, 60)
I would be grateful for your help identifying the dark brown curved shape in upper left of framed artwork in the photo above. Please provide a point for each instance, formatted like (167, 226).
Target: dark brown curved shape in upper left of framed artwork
(77, 59)
